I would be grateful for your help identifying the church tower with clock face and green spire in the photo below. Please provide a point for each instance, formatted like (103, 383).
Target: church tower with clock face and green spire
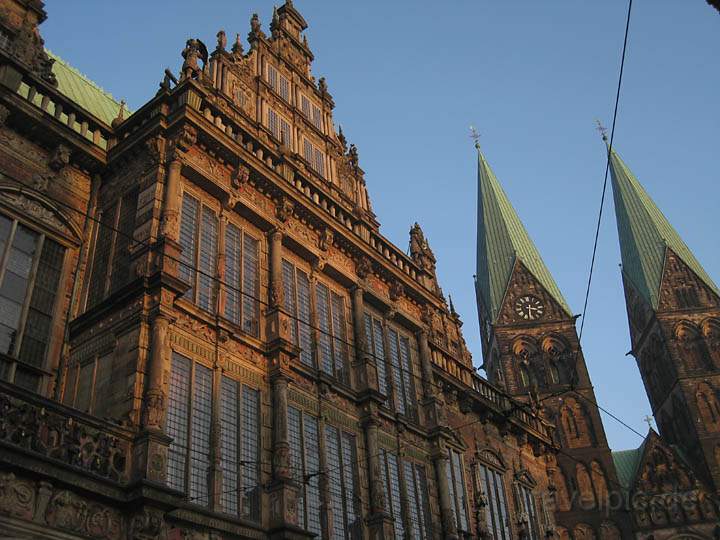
(531, 350)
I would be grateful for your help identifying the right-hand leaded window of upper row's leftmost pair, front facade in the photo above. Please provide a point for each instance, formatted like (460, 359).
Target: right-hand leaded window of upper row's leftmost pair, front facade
(242, 279)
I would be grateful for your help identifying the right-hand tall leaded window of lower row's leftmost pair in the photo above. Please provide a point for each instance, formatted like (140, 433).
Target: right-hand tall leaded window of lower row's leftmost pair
(240, 449)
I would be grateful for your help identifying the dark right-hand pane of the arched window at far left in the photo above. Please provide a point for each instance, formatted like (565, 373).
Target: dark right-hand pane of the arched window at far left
(39, 321)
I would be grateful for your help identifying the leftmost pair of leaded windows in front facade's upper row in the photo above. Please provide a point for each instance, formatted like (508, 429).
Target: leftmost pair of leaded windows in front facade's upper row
(199, 235)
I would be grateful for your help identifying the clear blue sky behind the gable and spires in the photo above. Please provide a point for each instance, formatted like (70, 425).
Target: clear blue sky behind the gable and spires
(408, 79)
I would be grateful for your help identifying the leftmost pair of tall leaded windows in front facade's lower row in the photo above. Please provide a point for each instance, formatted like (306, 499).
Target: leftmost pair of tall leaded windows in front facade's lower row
(189, 422)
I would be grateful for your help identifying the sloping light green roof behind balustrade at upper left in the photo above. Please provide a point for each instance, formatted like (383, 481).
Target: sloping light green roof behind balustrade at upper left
(85, 93)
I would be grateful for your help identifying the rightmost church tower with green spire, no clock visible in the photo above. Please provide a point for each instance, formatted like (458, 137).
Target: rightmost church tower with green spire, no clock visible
(673, 309)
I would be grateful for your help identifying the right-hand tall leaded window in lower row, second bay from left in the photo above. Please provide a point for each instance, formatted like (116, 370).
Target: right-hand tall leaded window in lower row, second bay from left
(342, 472)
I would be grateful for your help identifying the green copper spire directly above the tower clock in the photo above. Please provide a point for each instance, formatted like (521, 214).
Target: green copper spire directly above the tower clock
(501, 240)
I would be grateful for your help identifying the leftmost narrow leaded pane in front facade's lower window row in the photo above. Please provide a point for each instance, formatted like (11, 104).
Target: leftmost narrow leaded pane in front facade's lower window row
(177, 421)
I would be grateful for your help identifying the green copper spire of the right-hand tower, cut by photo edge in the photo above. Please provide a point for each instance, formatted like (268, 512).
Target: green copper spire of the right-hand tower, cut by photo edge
(645, 233)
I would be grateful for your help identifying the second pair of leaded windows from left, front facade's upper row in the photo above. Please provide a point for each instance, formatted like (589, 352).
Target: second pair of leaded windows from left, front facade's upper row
(329, 317)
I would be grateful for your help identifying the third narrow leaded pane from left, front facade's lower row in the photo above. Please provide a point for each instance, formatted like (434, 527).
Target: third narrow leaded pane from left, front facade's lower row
(228, 444)
